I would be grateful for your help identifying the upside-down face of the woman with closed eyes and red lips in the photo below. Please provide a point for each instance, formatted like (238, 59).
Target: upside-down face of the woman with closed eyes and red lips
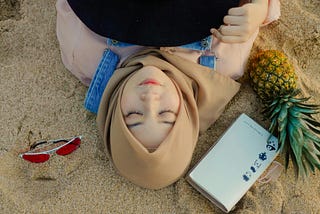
(150, 104)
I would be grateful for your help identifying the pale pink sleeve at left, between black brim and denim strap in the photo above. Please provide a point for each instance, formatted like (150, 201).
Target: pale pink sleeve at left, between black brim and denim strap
(81, 49)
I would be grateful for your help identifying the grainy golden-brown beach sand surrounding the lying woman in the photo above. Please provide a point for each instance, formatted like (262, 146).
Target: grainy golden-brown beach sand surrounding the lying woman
(40, 99)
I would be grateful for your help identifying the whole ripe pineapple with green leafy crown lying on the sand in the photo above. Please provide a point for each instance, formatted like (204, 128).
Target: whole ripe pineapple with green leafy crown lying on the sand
(273, 78)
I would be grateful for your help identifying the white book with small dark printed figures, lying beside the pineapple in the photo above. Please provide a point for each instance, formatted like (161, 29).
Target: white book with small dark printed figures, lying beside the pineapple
(231, 166)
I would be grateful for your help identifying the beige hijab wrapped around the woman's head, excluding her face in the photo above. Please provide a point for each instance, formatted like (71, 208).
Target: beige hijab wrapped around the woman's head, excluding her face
(203, 93)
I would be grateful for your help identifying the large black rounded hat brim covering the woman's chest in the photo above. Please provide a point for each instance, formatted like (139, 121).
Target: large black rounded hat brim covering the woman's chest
(153, 22)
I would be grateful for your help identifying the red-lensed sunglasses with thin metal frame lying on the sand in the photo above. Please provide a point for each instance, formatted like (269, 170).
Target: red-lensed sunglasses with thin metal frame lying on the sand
(40, 152)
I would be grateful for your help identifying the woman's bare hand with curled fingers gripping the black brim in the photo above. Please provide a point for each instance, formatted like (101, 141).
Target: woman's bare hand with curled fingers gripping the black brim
(242, 22)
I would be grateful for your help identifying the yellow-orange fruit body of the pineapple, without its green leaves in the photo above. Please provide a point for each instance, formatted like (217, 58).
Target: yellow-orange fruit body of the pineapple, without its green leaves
(271, 74)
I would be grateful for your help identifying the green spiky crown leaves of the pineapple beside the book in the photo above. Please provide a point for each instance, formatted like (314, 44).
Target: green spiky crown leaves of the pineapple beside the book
(297, 131)
